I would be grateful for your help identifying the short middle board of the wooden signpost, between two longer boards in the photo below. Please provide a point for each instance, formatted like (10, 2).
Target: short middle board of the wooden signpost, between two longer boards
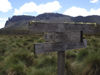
(68, 37)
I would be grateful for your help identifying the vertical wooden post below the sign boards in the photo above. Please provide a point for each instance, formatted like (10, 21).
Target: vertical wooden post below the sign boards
(61, 62)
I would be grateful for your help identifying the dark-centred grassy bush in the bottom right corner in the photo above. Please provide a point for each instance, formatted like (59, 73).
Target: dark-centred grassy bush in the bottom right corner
(92, 65)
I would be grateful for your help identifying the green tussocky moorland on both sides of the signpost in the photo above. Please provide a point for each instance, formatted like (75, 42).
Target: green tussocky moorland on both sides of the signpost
(17, 57)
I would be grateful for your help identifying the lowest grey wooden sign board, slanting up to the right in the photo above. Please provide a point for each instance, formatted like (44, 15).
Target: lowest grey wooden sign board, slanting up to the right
(52, 47)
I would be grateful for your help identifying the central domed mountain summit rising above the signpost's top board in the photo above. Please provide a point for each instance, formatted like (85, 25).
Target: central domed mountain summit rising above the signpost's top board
(53, 17)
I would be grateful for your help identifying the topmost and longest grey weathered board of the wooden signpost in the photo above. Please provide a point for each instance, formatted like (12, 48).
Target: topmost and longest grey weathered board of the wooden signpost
(38, 27)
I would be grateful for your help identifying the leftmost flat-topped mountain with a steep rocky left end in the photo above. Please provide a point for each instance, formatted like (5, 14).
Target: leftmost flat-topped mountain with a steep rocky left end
(18, 22)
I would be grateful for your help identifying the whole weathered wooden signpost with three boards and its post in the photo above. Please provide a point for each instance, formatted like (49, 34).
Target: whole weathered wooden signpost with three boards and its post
(60, 37)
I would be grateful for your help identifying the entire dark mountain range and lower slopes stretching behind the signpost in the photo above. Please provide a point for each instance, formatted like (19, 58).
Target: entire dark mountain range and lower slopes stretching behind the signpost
(20, 24)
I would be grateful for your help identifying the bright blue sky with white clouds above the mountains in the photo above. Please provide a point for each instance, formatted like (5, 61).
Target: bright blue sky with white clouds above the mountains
(9, 8)
